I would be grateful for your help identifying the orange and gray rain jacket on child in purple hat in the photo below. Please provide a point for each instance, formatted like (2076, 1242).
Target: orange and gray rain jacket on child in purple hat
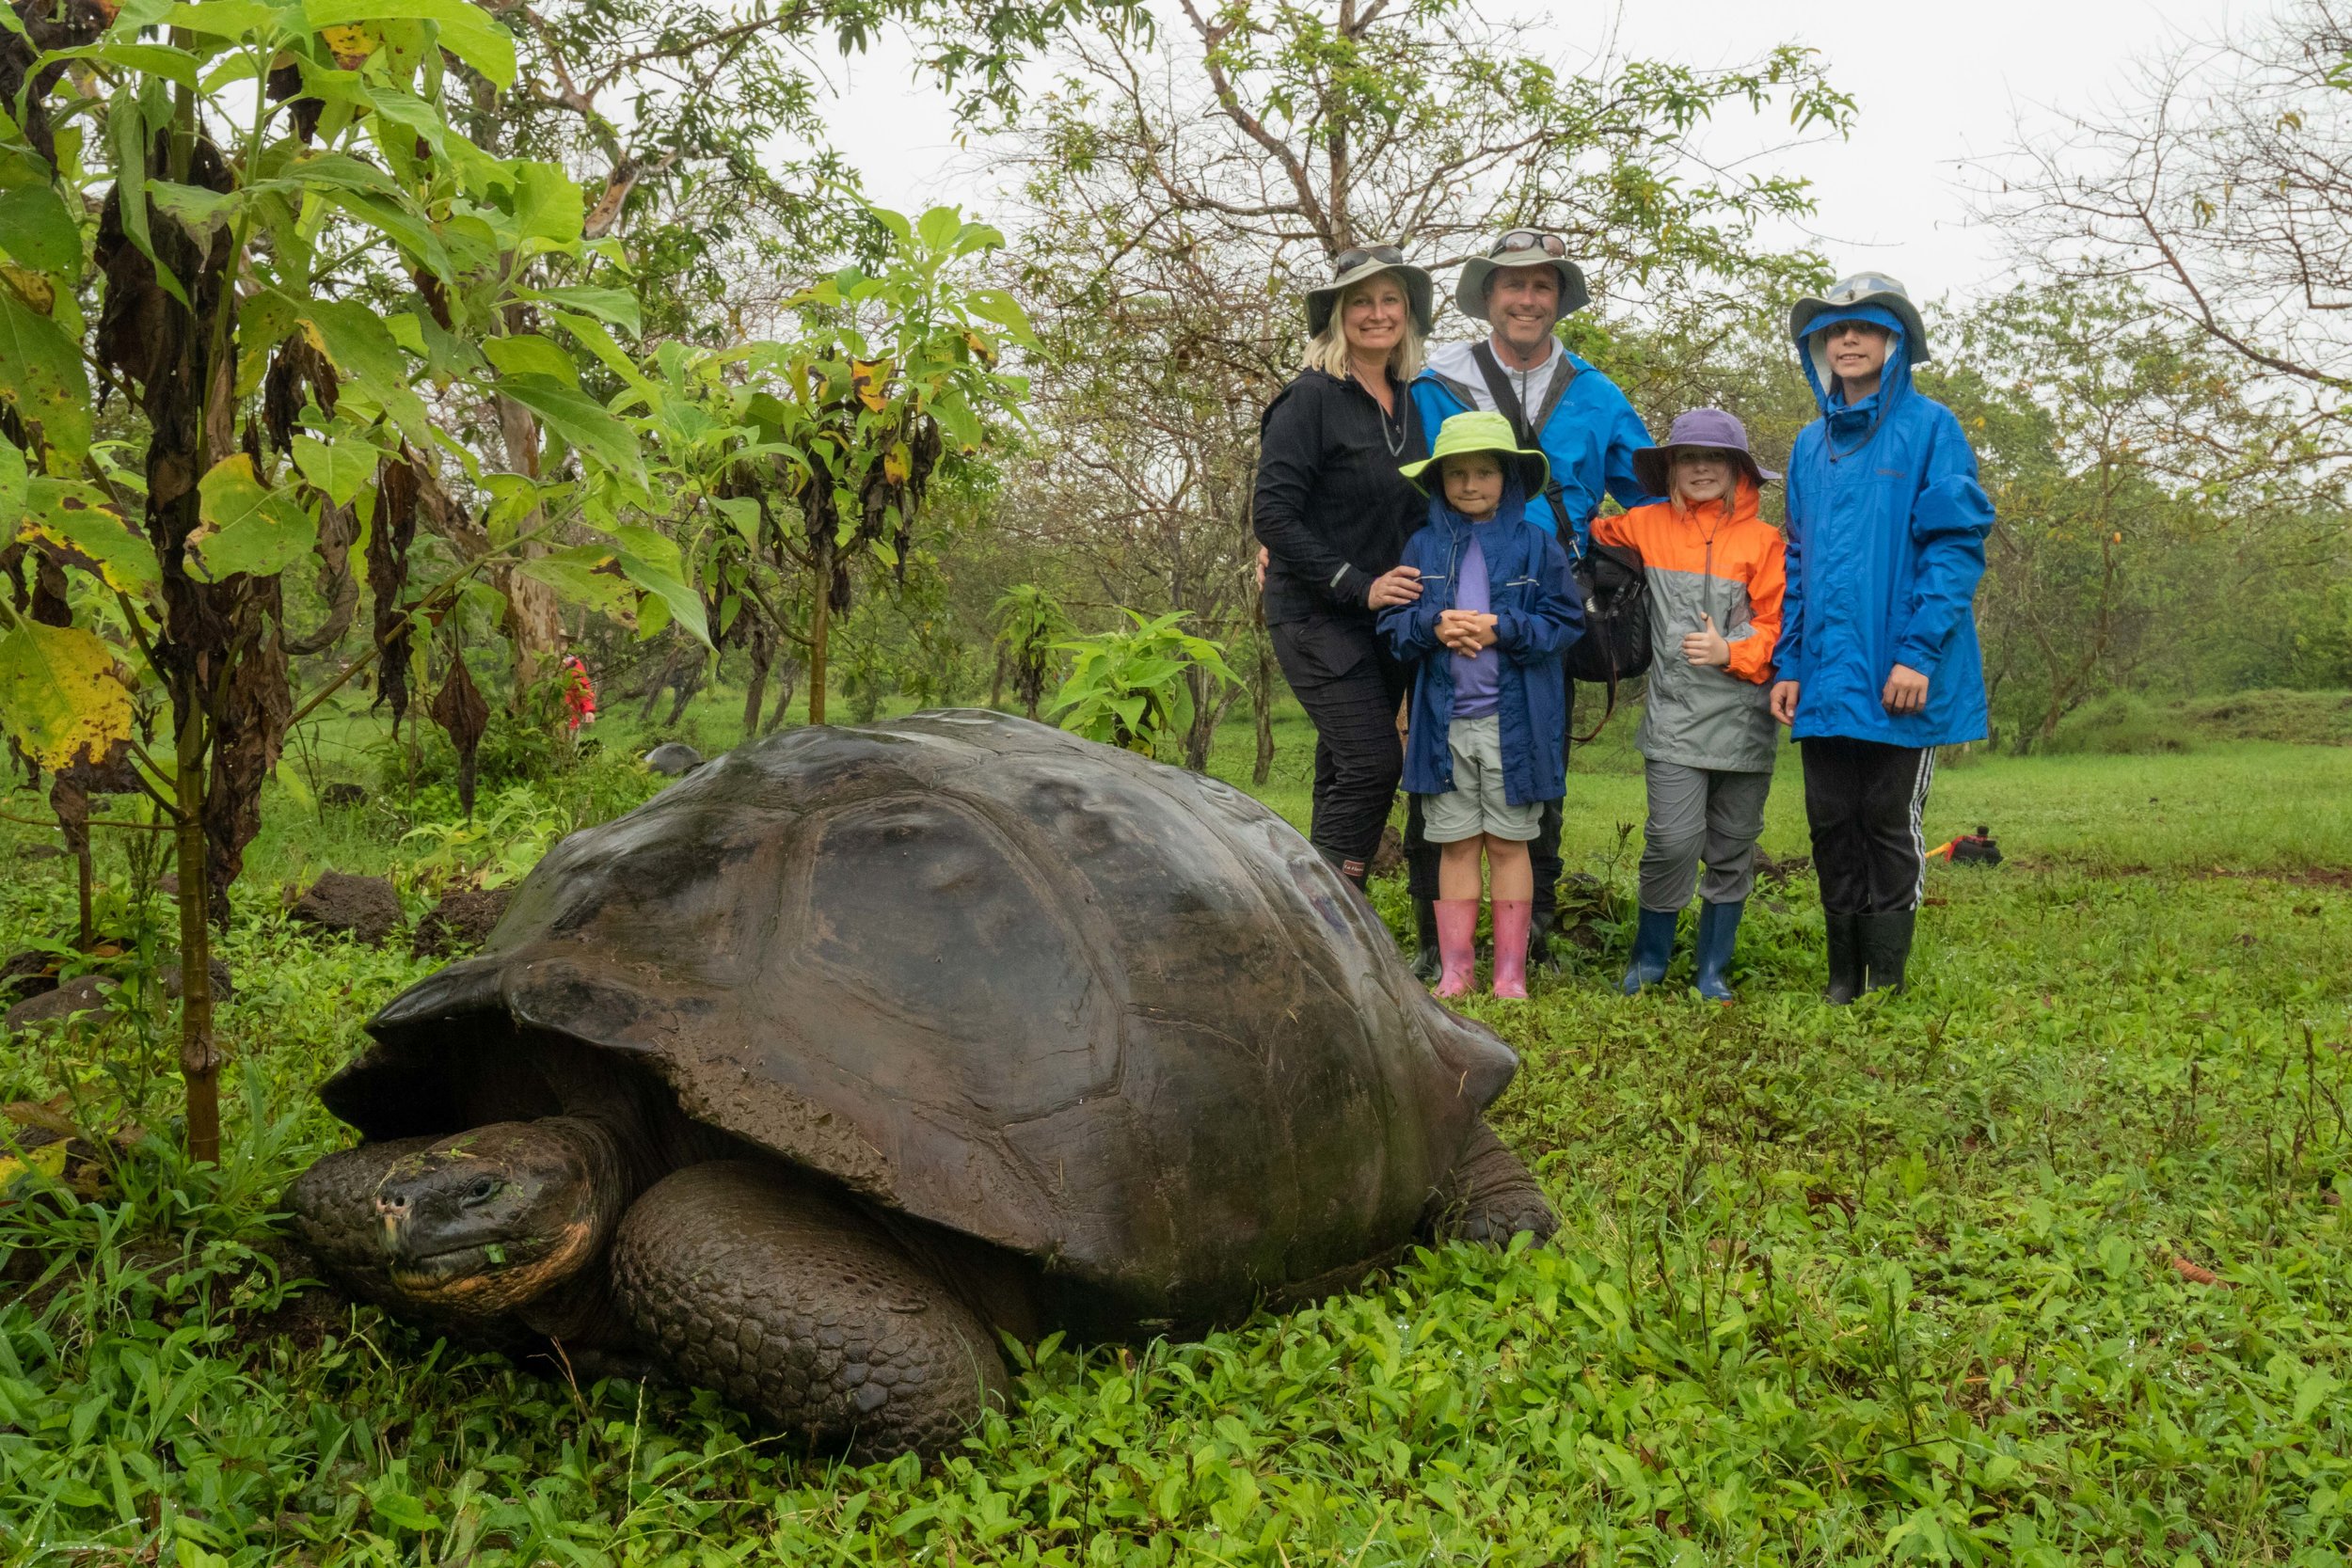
(1709, 565)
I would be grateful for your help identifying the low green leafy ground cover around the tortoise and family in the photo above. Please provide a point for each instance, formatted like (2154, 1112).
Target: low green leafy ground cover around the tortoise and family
(2040, 1264)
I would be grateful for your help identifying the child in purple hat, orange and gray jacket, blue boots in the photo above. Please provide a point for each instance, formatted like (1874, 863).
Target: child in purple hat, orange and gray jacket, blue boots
(1716, 577)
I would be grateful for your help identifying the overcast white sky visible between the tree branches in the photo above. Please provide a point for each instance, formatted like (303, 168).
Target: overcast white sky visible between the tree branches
(1935, 86)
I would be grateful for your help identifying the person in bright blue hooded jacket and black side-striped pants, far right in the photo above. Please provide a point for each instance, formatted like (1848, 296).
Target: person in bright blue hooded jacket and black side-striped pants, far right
(1878, 641)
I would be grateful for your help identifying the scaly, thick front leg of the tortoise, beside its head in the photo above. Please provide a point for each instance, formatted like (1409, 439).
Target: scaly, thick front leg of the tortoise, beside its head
(803, 1311)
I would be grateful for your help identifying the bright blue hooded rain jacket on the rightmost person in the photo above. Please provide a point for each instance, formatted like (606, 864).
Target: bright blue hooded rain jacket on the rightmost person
(1885, 544)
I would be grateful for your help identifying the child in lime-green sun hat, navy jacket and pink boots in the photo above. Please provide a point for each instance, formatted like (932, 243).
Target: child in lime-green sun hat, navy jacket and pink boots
(1490, 711)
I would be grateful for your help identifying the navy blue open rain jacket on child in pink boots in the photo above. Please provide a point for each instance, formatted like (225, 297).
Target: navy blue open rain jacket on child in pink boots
(1537, 619)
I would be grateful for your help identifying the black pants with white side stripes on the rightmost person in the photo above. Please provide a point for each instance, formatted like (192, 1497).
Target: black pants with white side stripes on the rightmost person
(1864, 803)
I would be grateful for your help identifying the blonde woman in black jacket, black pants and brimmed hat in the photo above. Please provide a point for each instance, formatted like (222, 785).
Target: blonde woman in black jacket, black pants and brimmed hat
(1332, 514)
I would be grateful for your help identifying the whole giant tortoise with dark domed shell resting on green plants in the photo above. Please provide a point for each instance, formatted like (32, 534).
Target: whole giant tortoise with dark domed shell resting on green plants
(862, 1045)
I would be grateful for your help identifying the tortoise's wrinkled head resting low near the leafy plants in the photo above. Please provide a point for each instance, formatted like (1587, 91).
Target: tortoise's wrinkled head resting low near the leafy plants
(495, 1217)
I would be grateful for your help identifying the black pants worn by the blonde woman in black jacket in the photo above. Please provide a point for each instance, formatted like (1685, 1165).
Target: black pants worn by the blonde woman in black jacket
(1351, 690)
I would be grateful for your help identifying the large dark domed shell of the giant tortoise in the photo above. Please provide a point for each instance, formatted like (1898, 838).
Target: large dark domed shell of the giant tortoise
(1109, 1014)
